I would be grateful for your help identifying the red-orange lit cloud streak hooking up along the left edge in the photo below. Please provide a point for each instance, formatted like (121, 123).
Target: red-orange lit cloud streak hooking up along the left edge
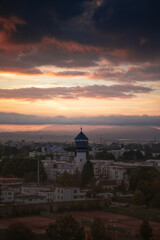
(9, 26)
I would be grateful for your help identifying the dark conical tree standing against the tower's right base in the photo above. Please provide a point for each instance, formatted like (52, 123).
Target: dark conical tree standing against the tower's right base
(87, 173)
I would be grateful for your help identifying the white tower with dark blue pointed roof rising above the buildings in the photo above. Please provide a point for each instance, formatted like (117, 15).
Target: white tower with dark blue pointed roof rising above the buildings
(81, 142)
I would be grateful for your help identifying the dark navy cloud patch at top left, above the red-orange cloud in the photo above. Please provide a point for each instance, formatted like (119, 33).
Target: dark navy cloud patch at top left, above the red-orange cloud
(43, 17)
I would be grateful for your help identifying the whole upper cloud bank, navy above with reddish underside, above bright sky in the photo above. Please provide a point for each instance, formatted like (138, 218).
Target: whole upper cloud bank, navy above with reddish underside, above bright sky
(80, 33)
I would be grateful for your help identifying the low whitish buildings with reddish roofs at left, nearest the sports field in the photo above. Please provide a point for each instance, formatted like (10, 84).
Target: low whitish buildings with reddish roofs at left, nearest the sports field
(13, 190)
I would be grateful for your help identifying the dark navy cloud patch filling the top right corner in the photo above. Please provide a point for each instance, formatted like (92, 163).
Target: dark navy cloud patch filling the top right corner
(133, 25)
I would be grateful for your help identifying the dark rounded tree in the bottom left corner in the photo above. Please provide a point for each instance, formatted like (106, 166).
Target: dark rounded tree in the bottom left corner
(18, 231)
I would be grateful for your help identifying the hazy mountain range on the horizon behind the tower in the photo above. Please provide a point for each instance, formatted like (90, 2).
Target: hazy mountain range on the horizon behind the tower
(106, 134)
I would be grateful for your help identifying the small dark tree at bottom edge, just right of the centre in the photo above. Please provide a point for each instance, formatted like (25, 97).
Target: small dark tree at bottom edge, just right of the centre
(98, 230)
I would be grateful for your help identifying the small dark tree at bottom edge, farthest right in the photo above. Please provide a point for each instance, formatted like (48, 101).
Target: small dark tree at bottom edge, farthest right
(145, 230)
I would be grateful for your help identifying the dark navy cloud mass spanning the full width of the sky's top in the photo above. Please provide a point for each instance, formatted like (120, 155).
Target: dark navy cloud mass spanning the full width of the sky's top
(133, 24)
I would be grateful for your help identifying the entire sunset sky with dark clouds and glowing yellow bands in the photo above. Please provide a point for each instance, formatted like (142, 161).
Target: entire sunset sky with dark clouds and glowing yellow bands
(93, 62)
